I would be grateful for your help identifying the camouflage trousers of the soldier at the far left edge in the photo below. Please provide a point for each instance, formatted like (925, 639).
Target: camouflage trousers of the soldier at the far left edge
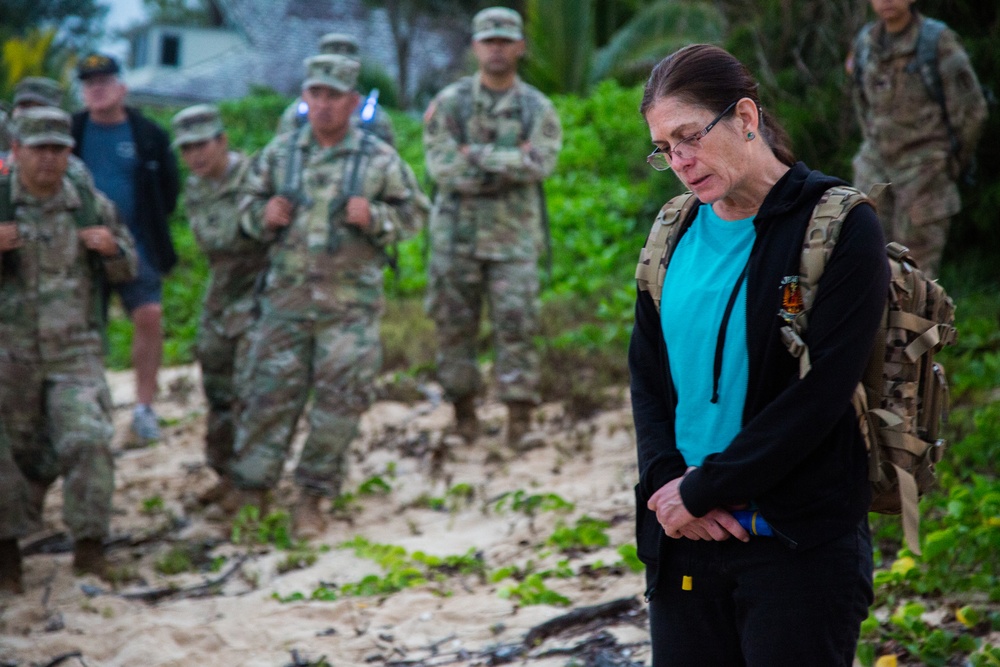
(57, 416)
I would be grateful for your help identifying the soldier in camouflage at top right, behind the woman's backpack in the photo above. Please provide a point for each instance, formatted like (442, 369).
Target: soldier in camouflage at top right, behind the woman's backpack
(916, 142)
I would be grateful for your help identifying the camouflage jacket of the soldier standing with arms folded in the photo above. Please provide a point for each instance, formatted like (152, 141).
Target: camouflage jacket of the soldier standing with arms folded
(489, 203)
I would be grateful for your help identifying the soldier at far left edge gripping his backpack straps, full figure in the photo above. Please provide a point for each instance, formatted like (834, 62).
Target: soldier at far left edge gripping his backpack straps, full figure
(59, 244)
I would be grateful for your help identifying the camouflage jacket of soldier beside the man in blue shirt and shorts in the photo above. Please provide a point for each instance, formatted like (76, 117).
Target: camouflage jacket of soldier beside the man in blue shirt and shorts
(235, 259)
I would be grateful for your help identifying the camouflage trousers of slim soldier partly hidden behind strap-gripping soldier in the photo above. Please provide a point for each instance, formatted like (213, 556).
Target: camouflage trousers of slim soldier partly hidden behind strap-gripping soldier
(222, 359)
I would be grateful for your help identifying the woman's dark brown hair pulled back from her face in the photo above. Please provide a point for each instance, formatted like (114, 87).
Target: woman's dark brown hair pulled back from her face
(710, 77)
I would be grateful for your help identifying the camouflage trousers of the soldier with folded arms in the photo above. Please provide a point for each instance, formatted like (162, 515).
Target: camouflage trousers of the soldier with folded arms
(455, 294)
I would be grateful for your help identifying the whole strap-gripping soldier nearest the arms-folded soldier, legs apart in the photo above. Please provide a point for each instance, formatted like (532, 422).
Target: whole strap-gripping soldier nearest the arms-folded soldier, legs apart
(328, 199)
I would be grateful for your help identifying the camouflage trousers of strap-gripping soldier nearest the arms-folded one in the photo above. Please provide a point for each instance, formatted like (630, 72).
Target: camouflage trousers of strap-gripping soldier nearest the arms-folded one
(288, 359)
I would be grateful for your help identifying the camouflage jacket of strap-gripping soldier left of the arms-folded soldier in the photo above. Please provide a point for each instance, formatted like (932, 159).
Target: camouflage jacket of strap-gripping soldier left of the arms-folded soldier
(321, 267)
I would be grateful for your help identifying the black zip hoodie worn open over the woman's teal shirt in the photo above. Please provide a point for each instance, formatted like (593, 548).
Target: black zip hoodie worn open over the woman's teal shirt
(799, 454)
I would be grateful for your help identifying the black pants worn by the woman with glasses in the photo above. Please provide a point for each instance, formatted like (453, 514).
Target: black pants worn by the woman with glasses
(761, 604)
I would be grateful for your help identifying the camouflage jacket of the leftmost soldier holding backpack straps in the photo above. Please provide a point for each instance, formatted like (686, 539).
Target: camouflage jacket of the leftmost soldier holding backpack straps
(48, 297)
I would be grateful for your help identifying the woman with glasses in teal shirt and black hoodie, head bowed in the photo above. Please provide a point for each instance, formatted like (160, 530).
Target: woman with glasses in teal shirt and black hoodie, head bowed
(725, 426)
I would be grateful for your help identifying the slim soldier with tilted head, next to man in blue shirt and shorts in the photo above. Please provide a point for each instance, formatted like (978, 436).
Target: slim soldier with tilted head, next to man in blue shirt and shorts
(235, 261)
